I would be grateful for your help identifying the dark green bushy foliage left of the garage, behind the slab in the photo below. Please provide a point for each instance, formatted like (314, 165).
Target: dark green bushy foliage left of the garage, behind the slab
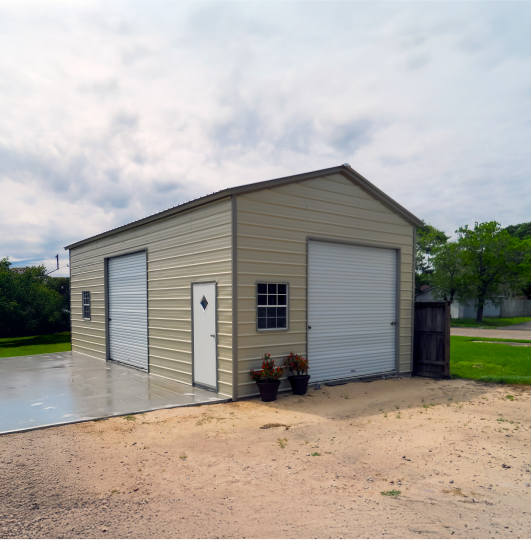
(28, 302)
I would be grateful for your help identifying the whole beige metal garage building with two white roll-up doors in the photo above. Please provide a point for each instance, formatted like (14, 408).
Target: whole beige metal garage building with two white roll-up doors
(318, 263)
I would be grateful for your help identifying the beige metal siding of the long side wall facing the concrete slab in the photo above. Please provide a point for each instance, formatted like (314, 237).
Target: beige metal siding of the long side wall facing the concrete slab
(191, 246)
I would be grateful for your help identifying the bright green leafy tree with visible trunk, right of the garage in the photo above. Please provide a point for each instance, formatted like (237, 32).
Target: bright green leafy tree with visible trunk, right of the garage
(483, 260)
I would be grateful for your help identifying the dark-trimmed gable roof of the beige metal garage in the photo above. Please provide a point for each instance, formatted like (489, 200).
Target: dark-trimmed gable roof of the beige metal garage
(345, 170)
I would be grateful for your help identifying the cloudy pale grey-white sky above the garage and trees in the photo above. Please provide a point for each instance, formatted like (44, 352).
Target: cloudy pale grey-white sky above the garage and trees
(111, 111)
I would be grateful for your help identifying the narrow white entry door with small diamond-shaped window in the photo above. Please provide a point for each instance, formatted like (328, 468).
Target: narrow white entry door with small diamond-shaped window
(204, 334)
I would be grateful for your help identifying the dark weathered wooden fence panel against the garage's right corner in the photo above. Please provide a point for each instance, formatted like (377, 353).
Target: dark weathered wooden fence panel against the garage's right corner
(431, 354)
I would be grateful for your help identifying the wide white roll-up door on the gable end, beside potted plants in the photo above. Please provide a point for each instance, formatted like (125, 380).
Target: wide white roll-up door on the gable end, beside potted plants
(351, 310)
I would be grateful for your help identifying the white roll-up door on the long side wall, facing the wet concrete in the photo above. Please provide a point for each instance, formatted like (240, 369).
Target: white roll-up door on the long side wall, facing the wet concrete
(127, 282)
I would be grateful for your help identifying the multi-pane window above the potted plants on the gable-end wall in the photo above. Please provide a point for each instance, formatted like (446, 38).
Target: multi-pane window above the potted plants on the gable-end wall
(272, 306)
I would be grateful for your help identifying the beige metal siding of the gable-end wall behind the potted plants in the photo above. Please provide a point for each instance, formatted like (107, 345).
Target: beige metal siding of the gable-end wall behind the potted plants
(272, 230)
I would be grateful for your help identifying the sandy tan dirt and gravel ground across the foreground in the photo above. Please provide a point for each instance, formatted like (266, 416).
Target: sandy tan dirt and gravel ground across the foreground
(458, 451)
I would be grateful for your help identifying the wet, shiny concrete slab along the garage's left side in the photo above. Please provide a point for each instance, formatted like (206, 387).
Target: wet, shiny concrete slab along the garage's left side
(63, 388)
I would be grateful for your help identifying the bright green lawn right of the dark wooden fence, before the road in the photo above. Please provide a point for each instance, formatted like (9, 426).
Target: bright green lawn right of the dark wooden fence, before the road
(490, 362)
